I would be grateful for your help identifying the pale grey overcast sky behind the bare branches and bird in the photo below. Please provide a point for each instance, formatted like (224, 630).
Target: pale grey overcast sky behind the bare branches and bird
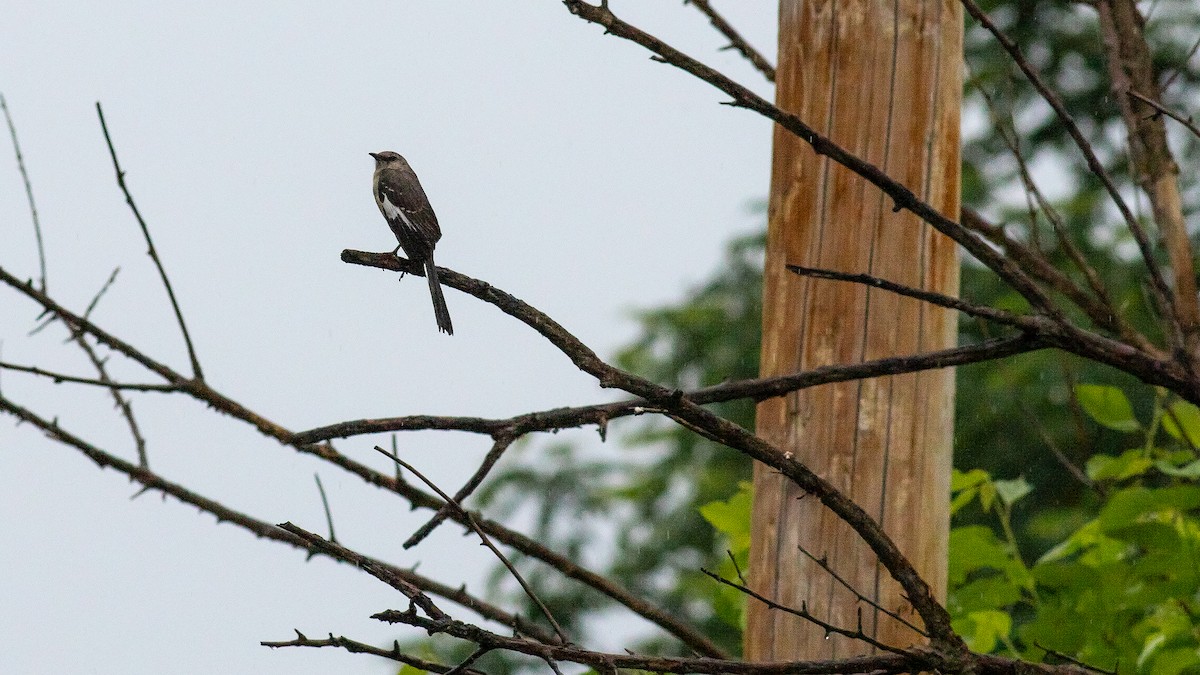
(566, 168)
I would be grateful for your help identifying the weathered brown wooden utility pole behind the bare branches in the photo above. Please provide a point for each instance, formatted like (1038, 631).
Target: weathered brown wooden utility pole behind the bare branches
(883, 80)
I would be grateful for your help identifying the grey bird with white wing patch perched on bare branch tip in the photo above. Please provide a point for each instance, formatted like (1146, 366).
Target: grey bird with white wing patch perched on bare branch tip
(411, 218)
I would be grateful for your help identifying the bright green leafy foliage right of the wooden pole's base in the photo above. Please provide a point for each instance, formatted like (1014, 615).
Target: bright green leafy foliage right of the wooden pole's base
(1124, 589)
